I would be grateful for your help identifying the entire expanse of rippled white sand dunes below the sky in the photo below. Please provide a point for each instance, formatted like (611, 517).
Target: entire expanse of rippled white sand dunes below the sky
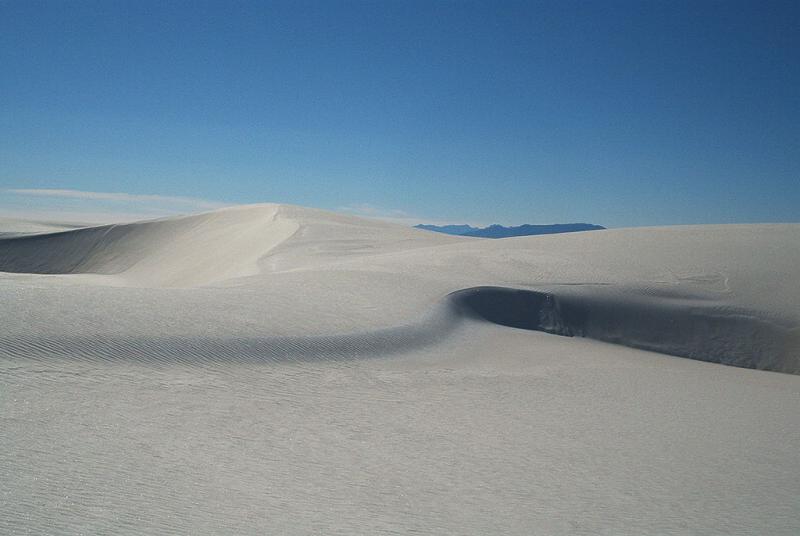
(271, 369)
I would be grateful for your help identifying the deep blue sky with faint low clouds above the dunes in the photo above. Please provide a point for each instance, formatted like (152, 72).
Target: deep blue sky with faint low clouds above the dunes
(617, 113)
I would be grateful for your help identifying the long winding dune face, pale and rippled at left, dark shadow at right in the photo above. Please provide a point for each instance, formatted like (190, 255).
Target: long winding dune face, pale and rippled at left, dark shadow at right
(680, 328)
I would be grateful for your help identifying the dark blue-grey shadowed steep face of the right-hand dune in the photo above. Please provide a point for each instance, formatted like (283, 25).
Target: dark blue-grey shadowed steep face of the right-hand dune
(680, 327)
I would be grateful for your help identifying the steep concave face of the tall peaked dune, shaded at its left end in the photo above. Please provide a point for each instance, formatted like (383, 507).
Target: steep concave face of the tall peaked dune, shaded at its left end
(180, 251)
